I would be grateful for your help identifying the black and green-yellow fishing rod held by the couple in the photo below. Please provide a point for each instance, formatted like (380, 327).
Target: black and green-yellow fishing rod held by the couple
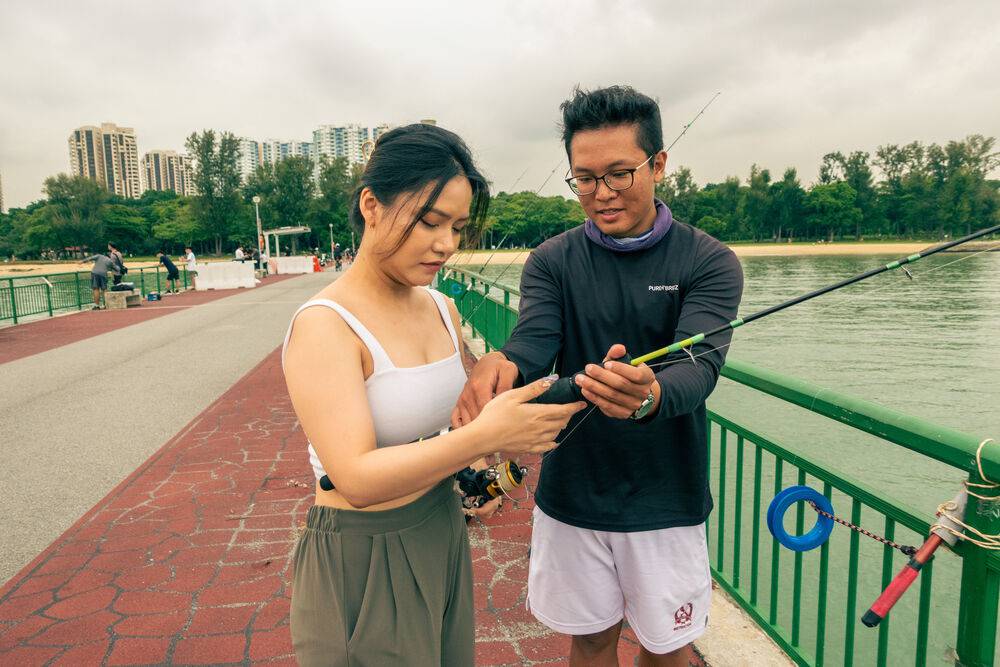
(565, 389)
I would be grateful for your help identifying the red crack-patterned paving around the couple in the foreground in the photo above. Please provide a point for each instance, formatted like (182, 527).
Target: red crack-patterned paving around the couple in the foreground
(188, 561)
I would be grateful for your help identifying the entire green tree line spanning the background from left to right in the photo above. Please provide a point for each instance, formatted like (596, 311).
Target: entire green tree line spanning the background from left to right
(909, 191)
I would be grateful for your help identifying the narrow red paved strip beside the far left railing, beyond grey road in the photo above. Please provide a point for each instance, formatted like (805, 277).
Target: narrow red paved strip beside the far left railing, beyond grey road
(29, 338)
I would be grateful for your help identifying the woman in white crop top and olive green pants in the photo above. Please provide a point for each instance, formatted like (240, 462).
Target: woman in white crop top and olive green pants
(382, 571)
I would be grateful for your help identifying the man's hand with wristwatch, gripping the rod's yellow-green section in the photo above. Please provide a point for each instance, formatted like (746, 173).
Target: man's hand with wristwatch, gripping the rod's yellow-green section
(617, 389)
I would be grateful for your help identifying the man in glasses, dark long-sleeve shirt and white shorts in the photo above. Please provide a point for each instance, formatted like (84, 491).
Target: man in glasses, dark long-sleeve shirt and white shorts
(621, 503)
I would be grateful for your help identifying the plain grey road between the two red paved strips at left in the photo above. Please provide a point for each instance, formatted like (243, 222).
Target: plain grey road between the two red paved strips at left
(77, 419)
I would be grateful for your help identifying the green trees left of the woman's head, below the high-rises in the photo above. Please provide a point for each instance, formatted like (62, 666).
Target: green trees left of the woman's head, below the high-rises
(77, 215)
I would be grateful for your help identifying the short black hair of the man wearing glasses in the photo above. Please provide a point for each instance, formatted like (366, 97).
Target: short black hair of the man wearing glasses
(610, 107)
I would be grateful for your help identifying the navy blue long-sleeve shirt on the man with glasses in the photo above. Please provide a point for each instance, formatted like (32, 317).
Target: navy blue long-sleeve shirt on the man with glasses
(579, 298)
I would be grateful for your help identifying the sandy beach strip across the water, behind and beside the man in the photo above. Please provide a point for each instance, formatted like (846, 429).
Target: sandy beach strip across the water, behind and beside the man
(741, 250)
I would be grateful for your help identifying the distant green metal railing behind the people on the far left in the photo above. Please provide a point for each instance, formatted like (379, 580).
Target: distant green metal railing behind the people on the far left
(25, 296)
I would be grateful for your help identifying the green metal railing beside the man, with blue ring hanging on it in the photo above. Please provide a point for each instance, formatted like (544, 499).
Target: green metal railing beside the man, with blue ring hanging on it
(810, 603)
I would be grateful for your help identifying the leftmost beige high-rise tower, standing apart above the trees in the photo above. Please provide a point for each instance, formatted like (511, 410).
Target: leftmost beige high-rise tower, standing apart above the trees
(109, 155)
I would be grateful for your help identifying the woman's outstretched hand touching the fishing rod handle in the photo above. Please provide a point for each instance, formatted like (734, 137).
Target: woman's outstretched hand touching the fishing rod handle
(508, 423)
